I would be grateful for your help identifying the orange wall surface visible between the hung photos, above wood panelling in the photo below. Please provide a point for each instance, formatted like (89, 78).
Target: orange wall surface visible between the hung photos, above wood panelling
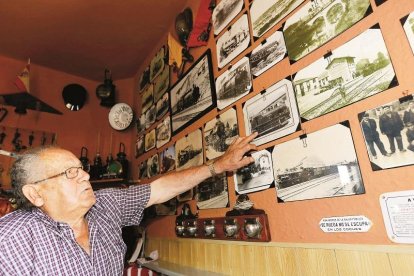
(299, 221)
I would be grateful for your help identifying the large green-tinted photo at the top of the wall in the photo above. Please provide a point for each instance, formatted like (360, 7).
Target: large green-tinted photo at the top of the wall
(317, 22)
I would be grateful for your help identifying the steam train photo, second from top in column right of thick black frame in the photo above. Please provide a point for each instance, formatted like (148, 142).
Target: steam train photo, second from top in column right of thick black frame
(234, 41)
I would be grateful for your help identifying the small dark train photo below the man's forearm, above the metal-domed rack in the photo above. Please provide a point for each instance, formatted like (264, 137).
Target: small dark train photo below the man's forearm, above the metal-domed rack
(213, 193)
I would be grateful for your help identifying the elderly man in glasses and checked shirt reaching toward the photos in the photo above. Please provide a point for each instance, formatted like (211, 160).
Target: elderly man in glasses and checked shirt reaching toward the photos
(67, 229)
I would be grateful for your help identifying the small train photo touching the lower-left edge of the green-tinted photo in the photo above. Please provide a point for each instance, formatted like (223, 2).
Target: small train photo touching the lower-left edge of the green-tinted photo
(268, 53)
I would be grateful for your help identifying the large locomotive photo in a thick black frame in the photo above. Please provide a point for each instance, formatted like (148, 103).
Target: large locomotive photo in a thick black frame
(193, 95)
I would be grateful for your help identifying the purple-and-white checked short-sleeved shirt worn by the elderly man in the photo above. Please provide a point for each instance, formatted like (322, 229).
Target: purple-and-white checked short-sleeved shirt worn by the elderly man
(31, 243)
